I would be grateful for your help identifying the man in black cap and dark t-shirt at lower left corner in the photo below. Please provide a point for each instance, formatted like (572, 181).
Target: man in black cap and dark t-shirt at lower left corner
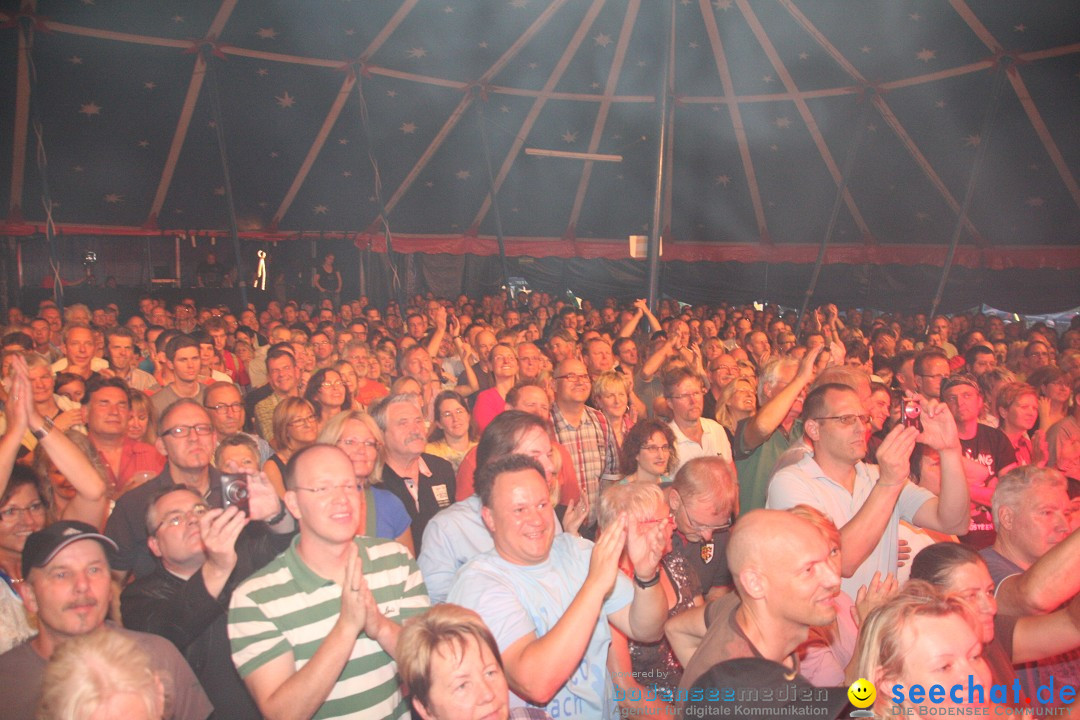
(69, 590)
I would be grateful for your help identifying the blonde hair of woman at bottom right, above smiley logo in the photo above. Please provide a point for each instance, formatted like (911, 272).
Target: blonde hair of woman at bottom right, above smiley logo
(886, 634)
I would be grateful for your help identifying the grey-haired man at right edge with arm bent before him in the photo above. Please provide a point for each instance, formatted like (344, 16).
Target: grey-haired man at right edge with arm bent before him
(1035, 562)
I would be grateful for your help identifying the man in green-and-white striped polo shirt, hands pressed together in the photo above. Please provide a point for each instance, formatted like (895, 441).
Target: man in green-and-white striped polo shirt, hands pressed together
(315, 633)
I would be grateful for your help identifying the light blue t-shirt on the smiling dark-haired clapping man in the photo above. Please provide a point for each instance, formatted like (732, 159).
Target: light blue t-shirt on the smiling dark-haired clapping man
(516, 601)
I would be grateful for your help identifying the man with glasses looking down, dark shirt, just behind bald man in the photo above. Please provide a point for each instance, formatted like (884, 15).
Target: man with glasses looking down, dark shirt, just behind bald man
(704, 499)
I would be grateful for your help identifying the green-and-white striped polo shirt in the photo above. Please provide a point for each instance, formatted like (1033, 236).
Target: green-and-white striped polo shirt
(288, 608)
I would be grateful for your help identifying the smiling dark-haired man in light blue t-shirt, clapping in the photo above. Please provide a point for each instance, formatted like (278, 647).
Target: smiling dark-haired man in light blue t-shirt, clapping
(549, 597)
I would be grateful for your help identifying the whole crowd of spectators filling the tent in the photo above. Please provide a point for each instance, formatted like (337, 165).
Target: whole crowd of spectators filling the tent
(520, 508)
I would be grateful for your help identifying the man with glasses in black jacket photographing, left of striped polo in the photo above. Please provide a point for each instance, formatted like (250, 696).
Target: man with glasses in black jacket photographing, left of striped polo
(204, 554)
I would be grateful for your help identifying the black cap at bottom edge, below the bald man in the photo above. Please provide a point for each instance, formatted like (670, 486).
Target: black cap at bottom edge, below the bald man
(758, 688)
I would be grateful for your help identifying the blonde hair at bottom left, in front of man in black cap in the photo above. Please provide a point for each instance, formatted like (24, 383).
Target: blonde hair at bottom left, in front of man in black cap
(88, 671)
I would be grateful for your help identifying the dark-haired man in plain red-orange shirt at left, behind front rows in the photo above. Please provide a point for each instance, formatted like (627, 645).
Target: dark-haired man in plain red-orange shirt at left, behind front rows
(106, 411)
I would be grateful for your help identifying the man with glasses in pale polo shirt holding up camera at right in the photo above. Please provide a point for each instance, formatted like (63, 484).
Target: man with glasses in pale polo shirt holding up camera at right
(867, 502)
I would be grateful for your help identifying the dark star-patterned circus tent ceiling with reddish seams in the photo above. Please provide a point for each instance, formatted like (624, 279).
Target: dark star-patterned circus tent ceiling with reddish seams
(886, 126)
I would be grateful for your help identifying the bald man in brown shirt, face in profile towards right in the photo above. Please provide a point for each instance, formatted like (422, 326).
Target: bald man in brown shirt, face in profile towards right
(786, 585)
